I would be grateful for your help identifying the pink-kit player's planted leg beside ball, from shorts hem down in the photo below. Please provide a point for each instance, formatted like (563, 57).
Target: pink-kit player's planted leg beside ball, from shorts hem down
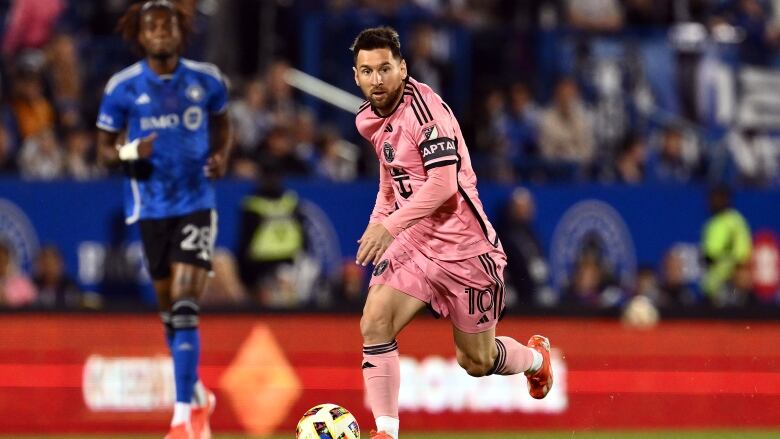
(387, 311)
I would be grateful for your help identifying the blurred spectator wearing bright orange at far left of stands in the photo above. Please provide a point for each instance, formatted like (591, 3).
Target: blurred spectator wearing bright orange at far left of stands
(33, 112)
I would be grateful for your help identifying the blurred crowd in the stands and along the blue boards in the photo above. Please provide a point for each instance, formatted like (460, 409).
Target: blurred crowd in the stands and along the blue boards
(547, 91)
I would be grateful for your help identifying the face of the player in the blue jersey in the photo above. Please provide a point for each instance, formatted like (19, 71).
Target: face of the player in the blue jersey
(160, 35)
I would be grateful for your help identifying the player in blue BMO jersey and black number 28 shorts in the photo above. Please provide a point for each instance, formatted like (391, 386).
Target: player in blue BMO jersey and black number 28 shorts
(164, 119)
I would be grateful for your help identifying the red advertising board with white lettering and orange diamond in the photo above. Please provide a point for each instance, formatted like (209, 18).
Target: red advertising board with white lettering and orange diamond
(91, 373)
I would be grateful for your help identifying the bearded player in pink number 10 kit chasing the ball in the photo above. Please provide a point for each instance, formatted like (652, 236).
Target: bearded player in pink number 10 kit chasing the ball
(428, 237)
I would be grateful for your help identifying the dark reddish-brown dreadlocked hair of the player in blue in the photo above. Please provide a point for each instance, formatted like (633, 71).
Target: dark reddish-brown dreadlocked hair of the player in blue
(129, 25)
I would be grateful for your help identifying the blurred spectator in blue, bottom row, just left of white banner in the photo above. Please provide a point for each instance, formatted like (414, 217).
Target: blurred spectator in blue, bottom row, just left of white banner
(676, 160)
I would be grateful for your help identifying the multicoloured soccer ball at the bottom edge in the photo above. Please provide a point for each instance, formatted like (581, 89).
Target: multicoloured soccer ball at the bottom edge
(327, 421)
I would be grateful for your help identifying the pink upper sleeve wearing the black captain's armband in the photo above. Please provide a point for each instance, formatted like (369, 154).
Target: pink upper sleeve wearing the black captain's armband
(437, 139)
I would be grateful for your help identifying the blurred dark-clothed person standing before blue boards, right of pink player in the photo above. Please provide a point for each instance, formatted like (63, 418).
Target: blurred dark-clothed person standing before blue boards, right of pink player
(527, 272)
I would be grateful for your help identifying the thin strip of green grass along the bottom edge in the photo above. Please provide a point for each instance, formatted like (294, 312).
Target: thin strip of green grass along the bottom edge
(715, 434)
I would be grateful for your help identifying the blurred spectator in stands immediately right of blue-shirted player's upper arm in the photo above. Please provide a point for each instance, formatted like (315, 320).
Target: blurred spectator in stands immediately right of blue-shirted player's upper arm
(251, 117)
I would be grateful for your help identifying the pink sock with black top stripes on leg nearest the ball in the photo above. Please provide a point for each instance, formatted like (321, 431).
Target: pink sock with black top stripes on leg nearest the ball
(382, 377)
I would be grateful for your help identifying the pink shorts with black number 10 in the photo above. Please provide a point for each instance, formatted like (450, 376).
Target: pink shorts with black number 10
(470, 292)
